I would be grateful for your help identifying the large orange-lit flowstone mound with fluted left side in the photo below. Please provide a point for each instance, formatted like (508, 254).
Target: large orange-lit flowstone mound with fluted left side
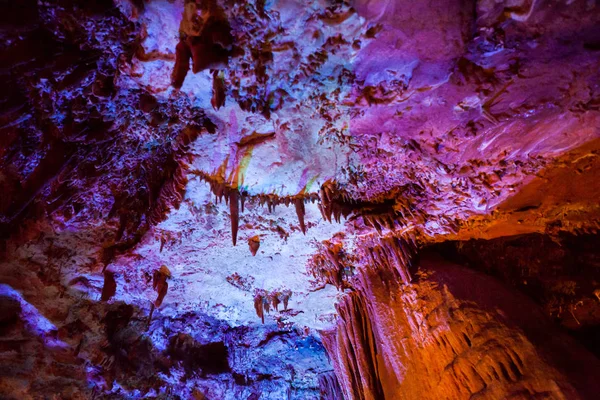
(451, 332)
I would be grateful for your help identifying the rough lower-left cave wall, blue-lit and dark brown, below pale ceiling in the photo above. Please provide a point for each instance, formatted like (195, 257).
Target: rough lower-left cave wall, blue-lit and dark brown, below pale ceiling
(101, 350)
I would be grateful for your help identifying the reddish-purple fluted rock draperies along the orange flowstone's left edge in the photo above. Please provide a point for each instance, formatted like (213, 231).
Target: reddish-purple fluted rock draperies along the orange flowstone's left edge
(353, 346)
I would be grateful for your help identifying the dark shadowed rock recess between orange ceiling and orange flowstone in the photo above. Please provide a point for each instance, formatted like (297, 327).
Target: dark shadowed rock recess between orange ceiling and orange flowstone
(558, 272)
